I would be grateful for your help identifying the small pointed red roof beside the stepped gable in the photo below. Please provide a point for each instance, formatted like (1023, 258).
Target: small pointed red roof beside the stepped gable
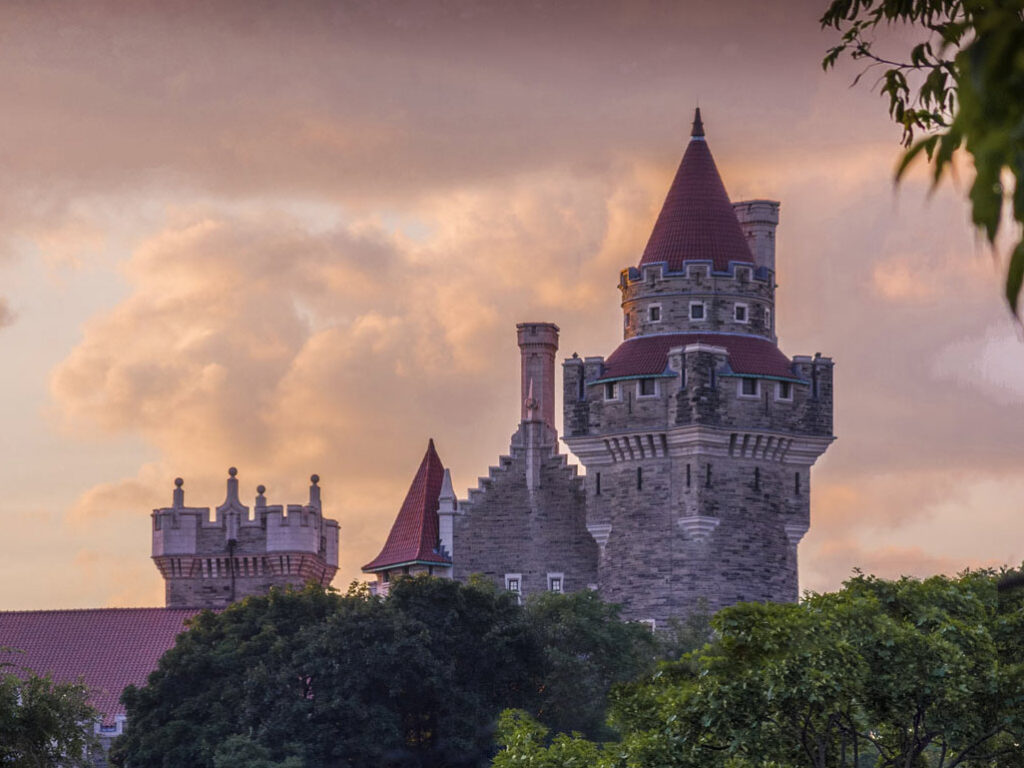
(415, 535)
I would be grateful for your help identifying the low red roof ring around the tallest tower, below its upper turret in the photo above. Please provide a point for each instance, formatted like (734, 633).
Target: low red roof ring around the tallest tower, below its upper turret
(649, 356)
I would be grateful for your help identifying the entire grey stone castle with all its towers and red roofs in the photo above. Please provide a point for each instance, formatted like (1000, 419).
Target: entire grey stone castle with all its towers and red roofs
(697, 434)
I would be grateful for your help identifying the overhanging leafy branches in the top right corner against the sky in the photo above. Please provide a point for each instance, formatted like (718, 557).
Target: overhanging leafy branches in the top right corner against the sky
(963, 86)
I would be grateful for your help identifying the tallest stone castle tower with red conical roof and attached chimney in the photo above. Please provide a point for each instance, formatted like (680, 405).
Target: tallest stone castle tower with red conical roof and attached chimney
(698, 433)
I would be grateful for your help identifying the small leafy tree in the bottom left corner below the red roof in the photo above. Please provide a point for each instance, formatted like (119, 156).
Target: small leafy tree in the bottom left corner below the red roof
(45, 724)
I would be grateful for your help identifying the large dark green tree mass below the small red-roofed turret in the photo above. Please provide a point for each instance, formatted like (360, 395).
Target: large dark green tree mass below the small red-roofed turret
(315, 678)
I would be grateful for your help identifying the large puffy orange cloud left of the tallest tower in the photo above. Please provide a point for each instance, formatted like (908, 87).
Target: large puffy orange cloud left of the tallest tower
(285, 345)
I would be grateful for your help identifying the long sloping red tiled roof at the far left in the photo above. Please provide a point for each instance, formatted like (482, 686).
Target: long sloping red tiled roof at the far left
(109, 649)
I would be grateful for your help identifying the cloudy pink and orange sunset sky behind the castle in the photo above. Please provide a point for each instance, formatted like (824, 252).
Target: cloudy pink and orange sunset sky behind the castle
(297, 238)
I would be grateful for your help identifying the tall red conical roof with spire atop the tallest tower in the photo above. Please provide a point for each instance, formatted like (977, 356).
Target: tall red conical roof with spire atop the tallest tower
(697, 221)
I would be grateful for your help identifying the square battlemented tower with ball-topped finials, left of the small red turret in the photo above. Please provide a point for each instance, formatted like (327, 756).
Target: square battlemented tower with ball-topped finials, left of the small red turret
(210, 564)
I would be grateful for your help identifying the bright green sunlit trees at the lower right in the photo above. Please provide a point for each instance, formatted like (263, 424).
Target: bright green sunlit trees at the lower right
(884, 674)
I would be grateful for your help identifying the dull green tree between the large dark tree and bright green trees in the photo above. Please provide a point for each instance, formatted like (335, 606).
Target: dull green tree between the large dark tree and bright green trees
(587, 650)
